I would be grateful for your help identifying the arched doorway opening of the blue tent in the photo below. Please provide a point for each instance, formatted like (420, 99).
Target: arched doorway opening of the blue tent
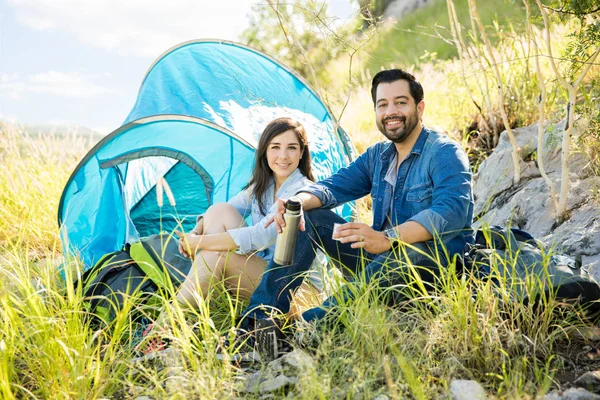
(140, 170)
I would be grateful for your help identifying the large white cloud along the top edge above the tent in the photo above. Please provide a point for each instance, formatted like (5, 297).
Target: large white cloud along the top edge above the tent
(136, 27)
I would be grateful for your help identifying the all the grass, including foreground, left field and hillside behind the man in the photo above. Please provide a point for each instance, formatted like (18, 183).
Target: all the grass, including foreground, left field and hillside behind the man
(464, 329)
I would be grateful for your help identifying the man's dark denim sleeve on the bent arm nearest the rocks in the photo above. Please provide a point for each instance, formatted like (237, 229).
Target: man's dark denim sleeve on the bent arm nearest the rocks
(452, 195)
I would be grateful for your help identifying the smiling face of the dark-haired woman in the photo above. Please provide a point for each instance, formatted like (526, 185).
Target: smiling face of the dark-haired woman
(284, 154)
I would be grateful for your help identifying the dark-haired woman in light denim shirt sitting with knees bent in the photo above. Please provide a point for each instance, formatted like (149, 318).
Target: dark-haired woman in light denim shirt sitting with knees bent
(223, 246)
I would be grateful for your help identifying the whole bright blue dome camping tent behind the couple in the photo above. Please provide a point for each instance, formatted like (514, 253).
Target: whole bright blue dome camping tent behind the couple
(199, 112)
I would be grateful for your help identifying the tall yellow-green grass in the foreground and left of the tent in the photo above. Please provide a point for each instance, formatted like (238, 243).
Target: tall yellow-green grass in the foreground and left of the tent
(463, 329)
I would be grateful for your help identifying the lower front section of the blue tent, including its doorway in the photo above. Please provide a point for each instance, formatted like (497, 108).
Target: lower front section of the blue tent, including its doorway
(93, 211)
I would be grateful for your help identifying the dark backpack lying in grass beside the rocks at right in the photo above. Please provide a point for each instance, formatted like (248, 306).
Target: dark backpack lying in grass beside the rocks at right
(519, 259)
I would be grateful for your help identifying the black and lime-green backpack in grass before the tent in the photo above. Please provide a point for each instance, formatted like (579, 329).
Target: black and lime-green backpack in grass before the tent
(138, 271)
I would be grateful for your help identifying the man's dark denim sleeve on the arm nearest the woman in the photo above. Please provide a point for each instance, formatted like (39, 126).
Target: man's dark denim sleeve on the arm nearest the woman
(347, 184)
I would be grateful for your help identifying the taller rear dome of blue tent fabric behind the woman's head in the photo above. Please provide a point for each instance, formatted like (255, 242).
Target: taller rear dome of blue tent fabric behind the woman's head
(240, 89)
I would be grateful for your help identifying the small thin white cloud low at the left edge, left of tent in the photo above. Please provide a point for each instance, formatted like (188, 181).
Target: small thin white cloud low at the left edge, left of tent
(65, 84)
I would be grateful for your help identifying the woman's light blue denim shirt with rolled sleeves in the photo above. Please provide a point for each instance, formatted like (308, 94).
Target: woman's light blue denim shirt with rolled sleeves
(256, 237)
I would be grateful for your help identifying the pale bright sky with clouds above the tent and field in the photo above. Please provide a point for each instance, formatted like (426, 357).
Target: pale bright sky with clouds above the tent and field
(82, 61)
